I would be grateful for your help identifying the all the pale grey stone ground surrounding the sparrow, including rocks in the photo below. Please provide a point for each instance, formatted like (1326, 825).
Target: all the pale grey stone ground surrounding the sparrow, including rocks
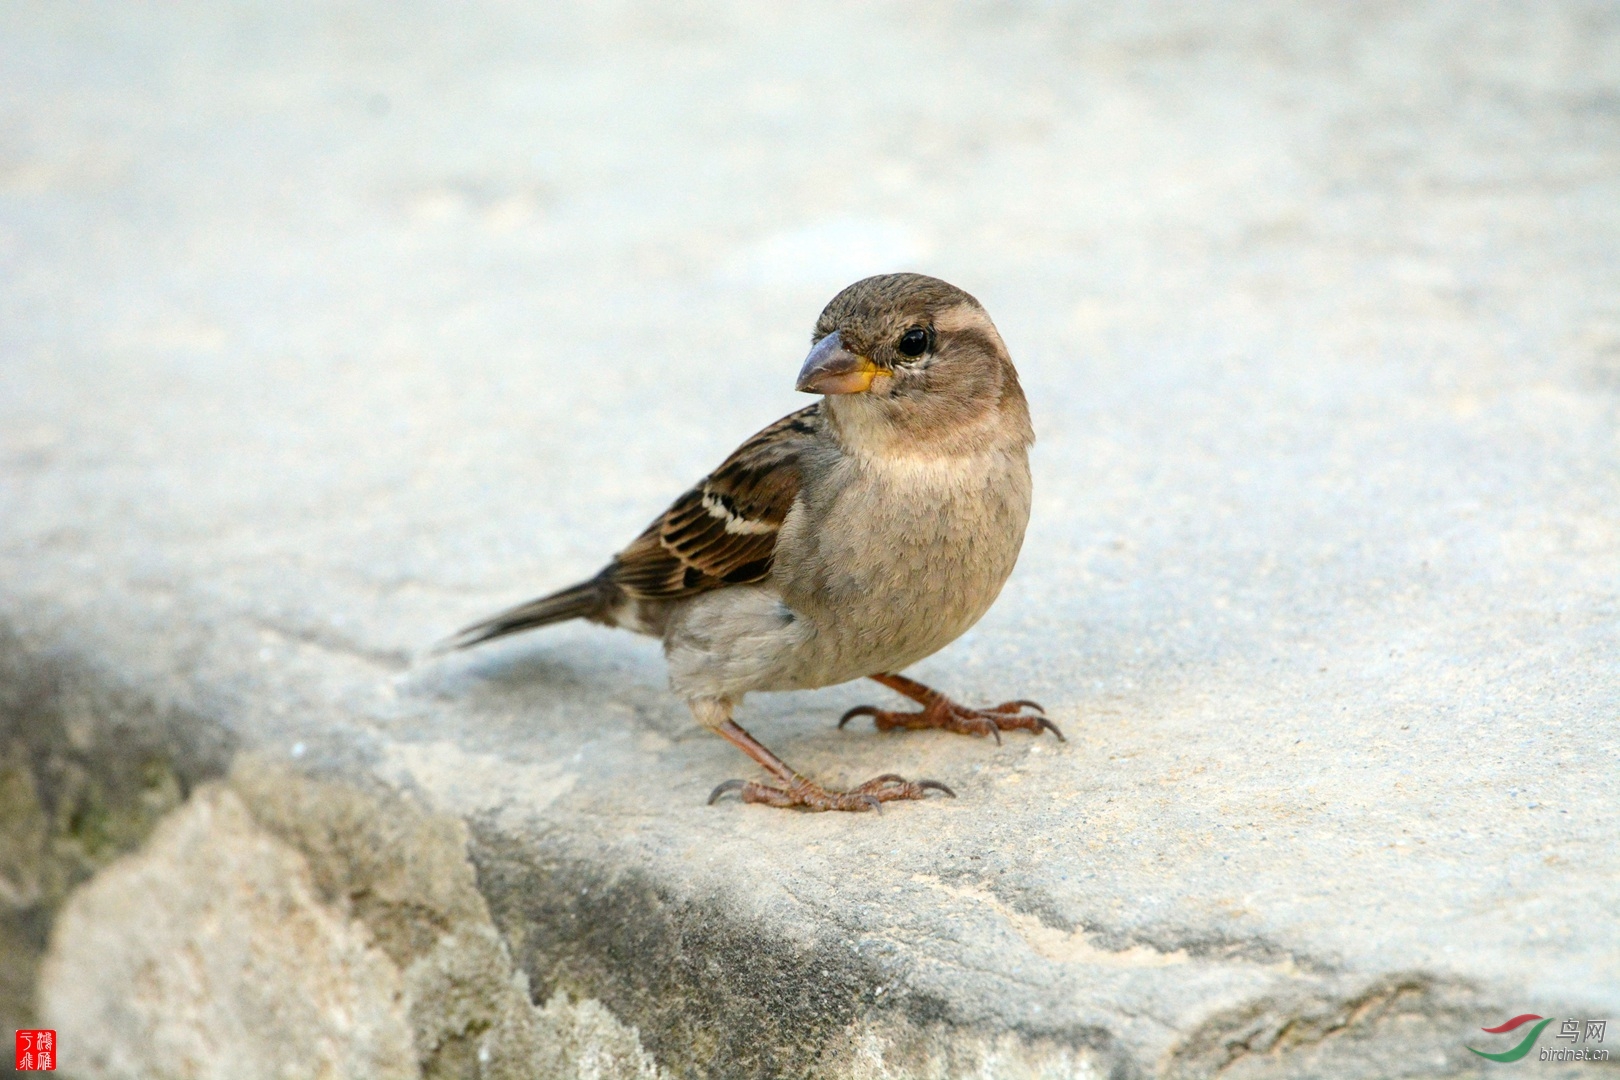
(326, 330)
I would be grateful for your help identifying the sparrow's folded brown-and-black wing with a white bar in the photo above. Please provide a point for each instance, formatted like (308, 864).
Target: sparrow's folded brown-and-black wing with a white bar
(723, 532)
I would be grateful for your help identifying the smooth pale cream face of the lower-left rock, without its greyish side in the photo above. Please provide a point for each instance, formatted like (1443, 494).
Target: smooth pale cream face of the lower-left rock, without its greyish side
(211, 956)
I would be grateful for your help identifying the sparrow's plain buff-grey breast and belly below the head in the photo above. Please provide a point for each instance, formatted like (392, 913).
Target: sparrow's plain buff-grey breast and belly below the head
(903, 561)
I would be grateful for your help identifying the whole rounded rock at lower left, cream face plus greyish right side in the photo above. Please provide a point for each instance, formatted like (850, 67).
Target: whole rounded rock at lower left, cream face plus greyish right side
(284, 929)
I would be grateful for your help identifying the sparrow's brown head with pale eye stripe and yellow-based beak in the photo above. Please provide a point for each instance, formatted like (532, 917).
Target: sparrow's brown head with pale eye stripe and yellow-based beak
(911, 354)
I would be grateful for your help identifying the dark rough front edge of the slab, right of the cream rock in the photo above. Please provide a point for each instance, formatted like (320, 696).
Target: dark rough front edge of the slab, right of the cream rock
(718, 995)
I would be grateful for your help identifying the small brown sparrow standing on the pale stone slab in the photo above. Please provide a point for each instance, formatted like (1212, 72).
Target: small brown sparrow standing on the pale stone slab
(850, 540)
